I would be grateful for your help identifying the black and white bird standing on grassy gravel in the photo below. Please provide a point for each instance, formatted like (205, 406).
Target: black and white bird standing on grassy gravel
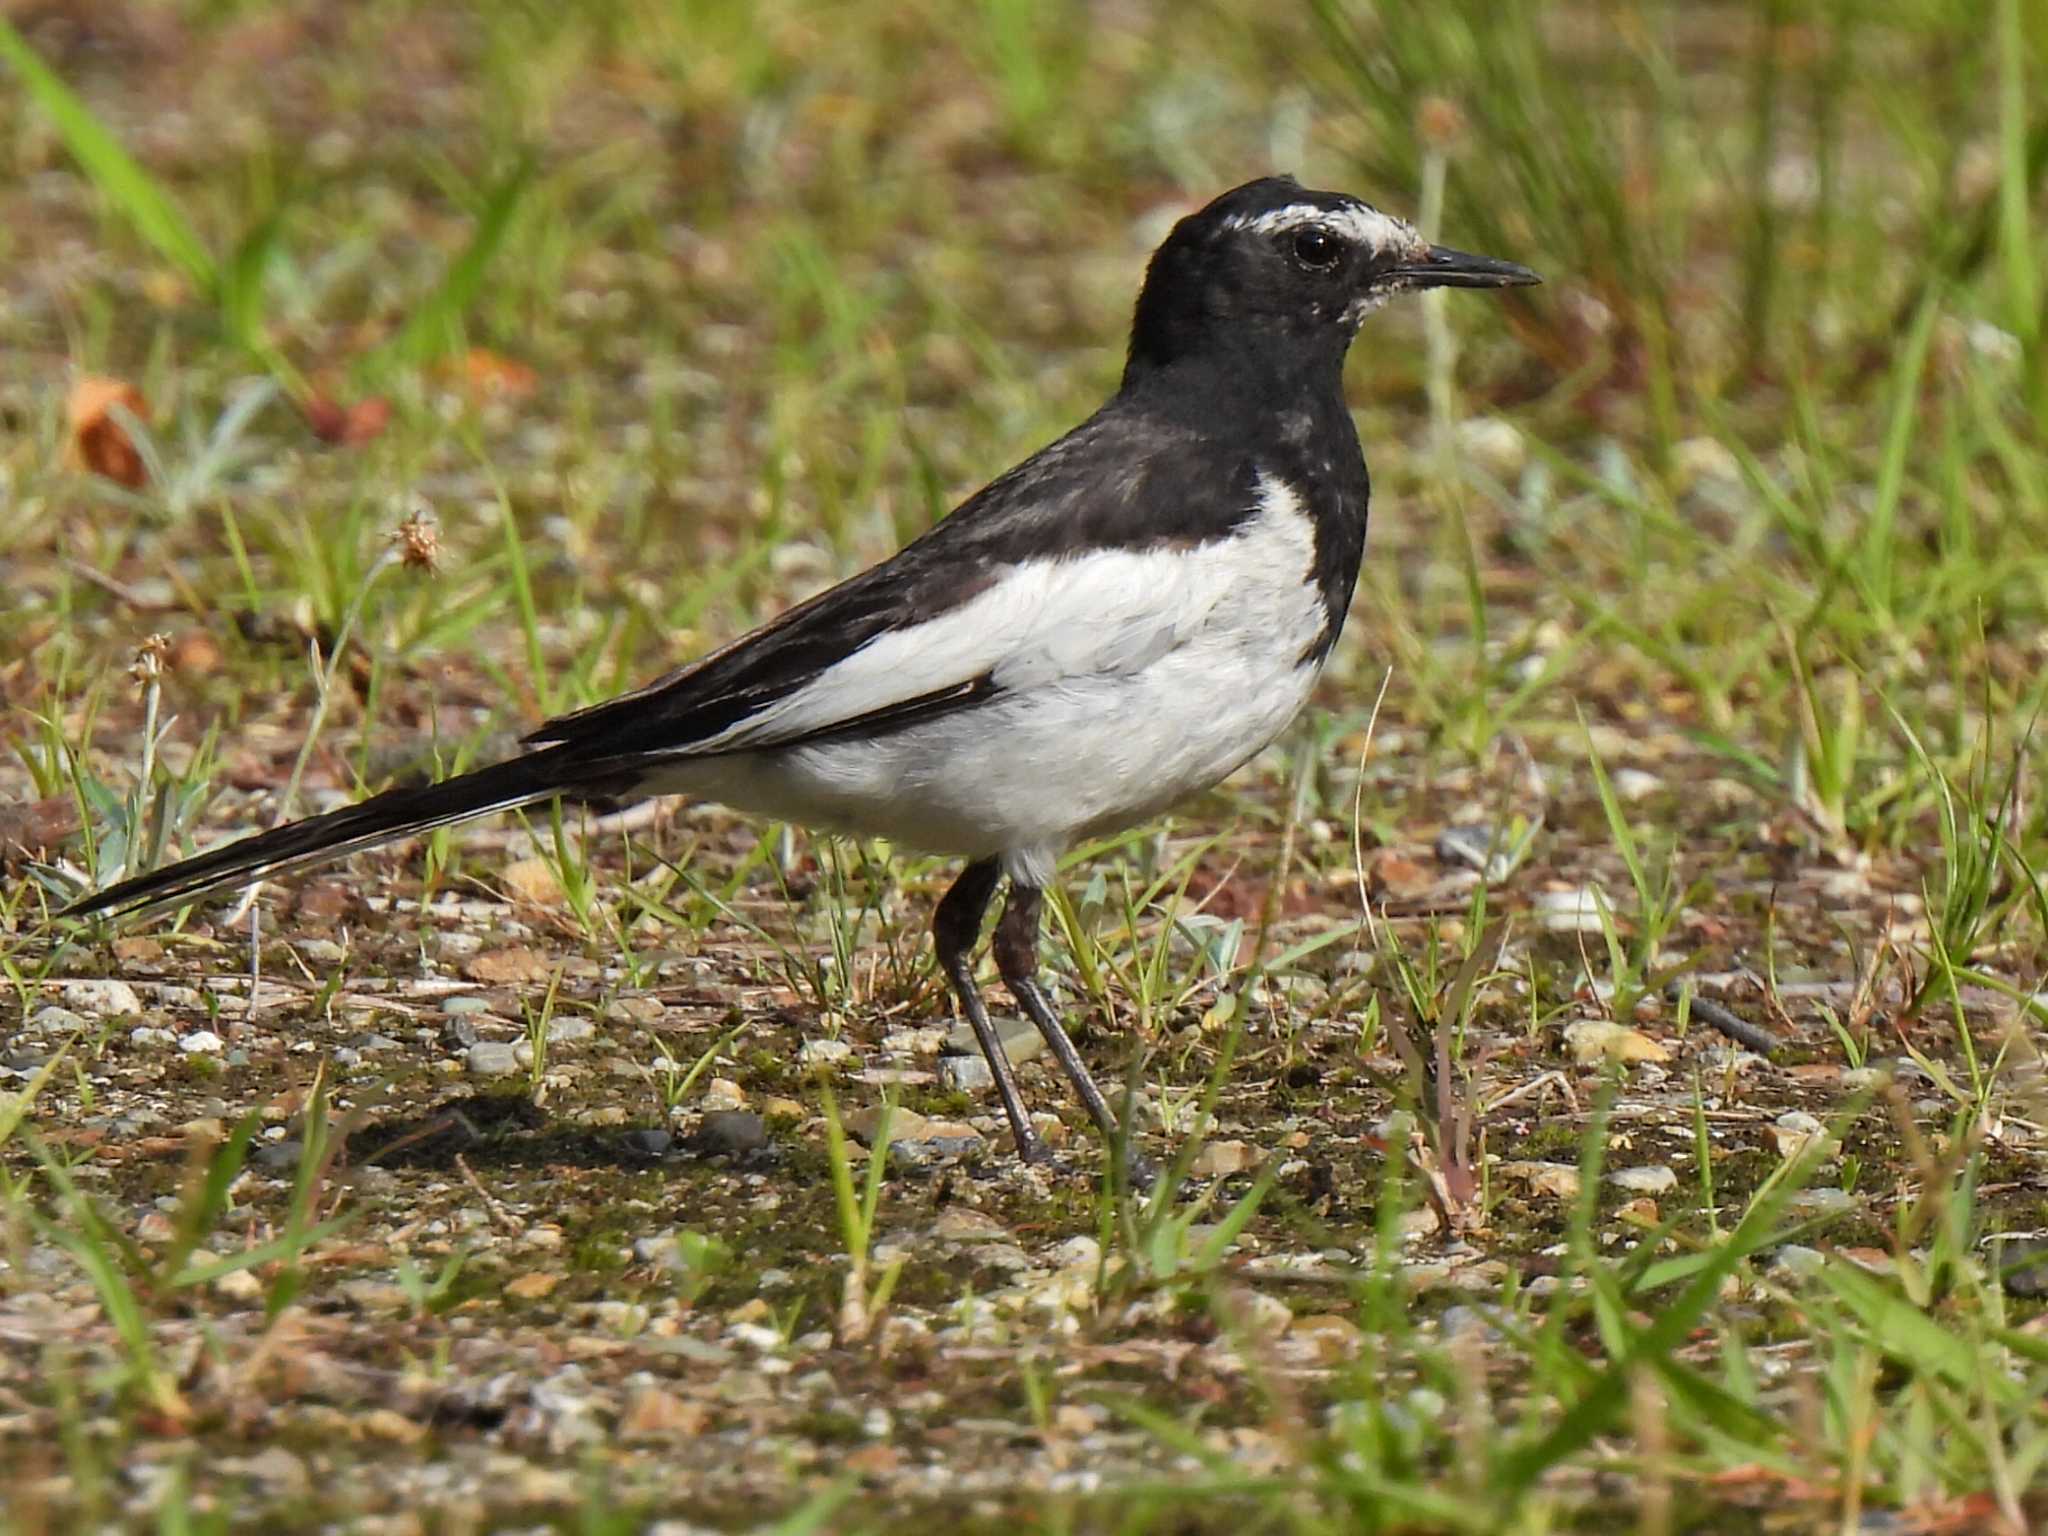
(1113, 626)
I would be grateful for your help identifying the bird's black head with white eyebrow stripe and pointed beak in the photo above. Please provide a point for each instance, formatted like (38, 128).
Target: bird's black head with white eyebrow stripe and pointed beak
(1277, 269)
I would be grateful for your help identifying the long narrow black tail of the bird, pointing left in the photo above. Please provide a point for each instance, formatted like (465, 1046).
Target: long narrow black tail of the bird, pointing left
(382, 818)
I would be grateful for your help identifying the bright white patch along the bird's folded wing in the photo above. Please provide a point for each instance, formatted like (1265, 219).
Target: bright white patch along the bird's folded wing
(1099, 615)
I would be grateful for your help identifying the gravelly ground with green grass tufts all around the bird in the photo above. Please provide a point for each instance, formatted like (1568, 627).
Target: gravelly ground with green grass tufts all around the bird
(1711, 577)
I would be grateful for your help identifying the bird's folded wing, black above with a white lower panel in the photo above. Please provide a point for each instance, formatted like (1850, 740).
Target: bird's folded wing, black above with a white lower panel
(1052, 570)
